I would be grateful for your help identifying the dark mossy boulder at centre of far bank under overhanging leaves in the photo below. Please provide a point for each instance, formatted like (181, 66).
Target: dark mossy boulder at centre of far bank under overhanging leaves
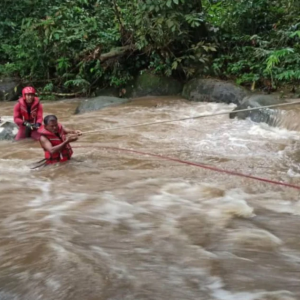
(149, 84)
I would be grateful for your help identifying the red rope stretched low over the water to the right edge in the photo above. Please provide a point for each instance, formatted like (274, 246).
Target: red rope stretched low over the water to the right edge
(201, 166)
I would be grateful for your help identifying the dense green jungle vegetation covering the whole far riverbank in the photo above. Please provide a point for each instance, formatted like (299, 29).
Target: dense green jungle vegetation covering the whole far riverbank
(74, 46)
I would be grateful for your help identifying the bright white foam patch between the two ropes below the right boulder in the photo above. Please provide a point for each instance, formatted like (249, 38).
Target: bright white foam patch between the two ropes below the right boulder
(240, 139)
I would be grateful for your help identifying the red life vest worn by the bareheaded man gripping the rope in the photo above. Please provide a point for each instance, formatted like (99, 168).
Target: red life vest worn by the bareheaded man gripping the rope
(55, 140)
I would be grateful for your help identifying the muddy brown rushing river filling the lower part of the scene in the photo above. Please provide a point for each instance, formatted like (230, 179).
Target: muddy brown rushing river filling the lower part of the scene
(114, 225)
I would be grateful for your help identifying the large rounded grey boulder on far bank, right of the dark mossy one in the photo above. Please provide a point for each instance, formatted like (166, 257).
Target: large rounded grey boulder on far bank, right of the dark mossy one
(212, 90)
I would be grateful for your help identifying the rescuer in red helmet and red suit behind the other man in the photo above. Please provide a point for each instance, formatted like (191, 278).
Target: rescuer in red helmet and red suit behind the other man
(28, 114)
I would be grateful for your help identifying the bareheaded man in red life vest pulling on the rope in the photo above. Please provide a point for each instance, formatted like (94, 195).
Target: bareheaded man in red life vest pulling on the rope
(55, 142)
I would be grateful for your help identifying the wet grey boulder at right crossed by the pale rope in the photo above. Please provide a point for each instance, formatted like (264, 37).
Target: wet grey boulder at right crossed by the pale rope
(265, 115)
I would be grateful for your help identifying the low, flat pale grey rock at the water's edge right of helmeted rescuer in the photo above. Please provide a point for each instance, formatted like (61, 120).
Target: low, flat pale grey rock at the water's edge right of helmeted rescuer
(98, 103)
